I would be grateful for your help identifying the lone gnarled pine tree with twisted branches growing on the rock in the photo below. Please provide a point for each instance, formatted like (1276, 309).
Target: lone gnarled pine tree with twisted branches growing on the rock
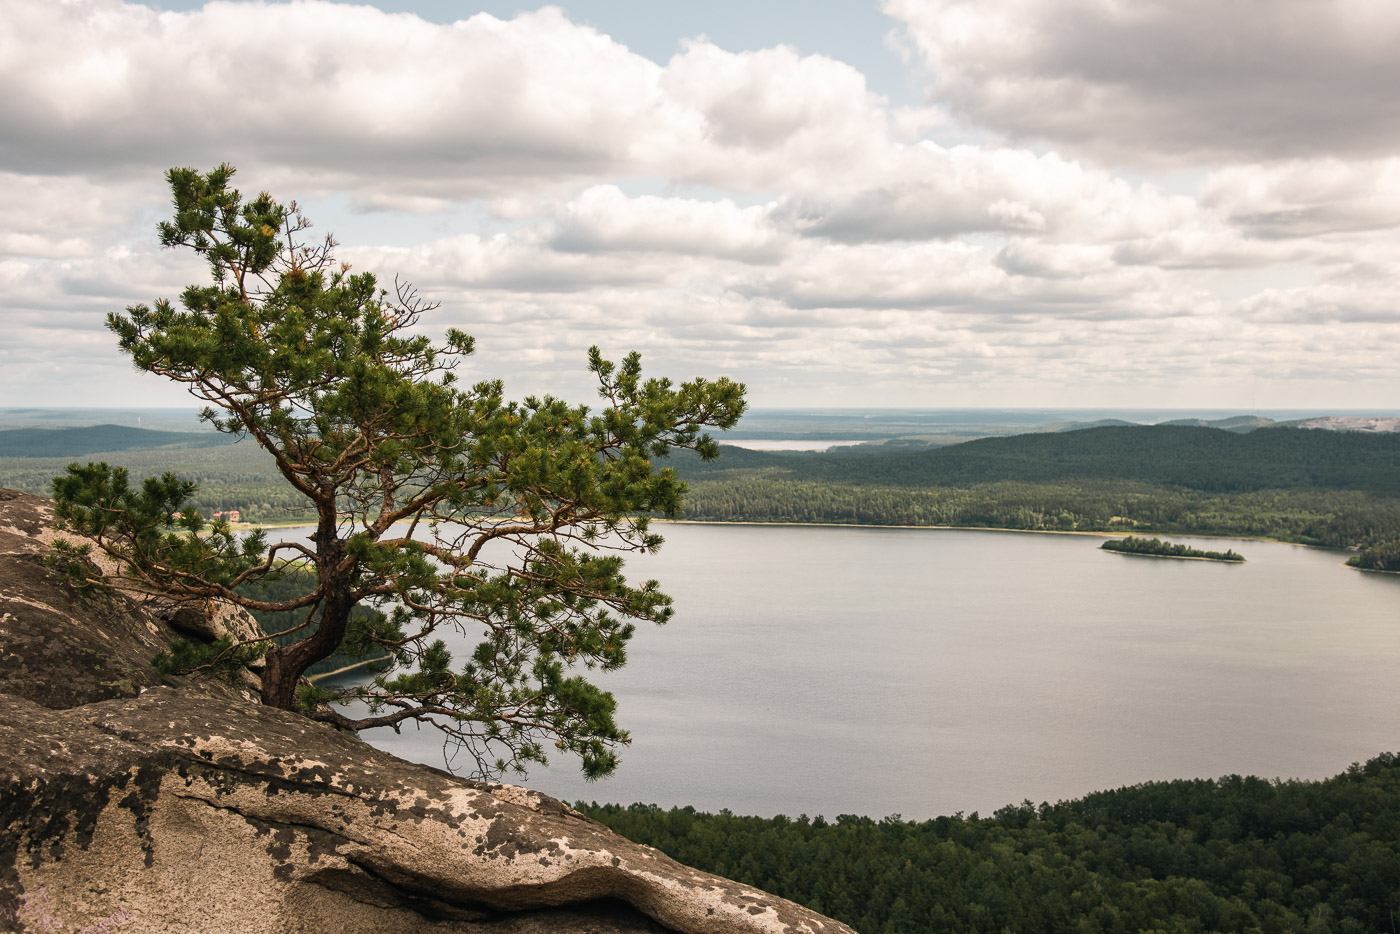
(436, 506)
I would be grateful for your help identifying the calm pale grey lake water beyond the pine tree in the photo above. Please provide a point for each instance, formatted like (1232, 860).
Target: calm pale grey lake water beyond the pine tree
(913, 671)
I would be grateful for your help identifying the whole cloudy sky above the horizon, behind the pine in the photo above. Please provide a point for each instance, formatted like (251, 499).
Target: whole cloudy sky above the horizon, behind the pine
(1095, 204)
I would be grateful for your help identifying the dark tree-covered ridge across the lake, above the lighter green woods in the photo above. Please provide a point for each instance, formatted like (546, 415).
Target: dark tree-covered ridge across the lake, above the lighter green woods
(1209, 460)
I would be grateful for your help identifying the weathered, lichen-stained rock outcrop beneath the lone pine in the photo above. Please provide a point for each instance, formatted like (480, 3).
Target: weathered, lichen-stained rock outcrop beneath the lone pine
(132, 803)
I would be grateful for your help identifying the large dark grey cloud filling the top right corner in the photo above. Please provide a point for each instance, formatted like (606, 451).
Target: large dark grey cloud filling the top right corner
(1168, 83)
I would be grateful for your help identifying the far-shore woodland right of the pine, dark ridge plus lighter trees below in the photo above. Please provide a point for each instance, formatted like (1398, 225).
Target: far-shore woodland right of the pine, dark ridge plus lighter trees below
(1324, 488)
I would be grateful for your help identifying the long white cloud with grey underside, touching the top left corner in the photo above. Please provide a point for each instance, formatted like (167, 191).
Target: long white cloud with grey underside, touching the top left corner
(93, 83)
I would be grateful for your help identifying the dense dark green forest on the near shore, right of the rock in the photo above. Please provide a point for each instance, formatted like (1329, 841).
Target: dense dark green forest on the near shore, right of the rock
(1233, 855)
